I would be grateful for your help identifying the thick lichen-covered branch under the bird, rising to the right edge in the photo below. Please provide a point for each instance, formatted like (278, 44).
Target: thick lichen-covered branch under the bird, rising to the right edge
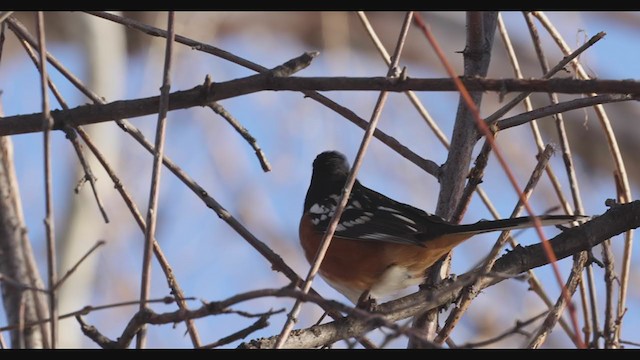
(615, 221)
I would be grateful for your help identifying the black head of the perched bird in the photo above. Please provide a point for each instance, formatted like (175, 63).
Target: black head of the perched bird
(330, 170)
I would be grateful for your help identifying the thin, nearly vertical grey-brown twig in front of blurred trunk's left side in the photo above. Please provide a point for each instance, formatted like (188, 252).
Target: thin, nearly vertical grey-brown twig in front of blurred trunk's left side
(47, 124)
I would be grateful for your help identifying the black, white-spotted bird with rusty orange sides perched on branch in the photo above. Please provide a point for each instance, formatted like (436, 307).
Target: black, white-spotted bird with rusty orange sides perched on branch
(380, 246)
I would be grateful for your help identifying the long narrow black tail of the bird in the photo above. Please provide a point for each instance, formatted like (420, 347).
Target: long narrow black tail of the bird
(523, 222)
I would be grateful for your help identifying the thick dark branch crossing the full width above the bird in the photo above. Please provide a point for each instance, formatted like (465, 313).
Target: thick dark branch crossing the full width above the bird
(203, 95)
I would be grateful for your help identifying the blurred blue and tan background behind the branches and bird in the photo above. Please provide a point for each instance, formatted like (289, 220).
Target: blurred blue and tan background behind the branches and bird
(212, 262)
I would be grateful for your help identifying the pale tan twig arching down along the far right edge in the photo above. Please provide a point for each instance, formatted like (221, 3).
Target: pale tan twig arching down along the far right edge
(618, 163)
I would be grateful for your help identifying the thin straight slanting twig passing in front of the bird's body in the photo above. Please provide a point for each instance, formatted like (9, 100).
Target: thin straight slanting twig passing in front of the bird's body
(346, 191)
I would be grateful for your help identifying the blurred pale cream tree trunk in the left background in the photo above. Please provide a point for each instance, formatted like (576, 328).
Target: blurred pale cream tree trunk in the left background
(104, 46)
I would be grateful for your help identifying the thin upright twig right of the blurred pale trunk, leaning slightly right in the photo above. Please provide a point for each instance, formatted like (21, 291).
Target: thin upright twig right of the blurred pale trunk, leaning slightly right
(158, 154)
